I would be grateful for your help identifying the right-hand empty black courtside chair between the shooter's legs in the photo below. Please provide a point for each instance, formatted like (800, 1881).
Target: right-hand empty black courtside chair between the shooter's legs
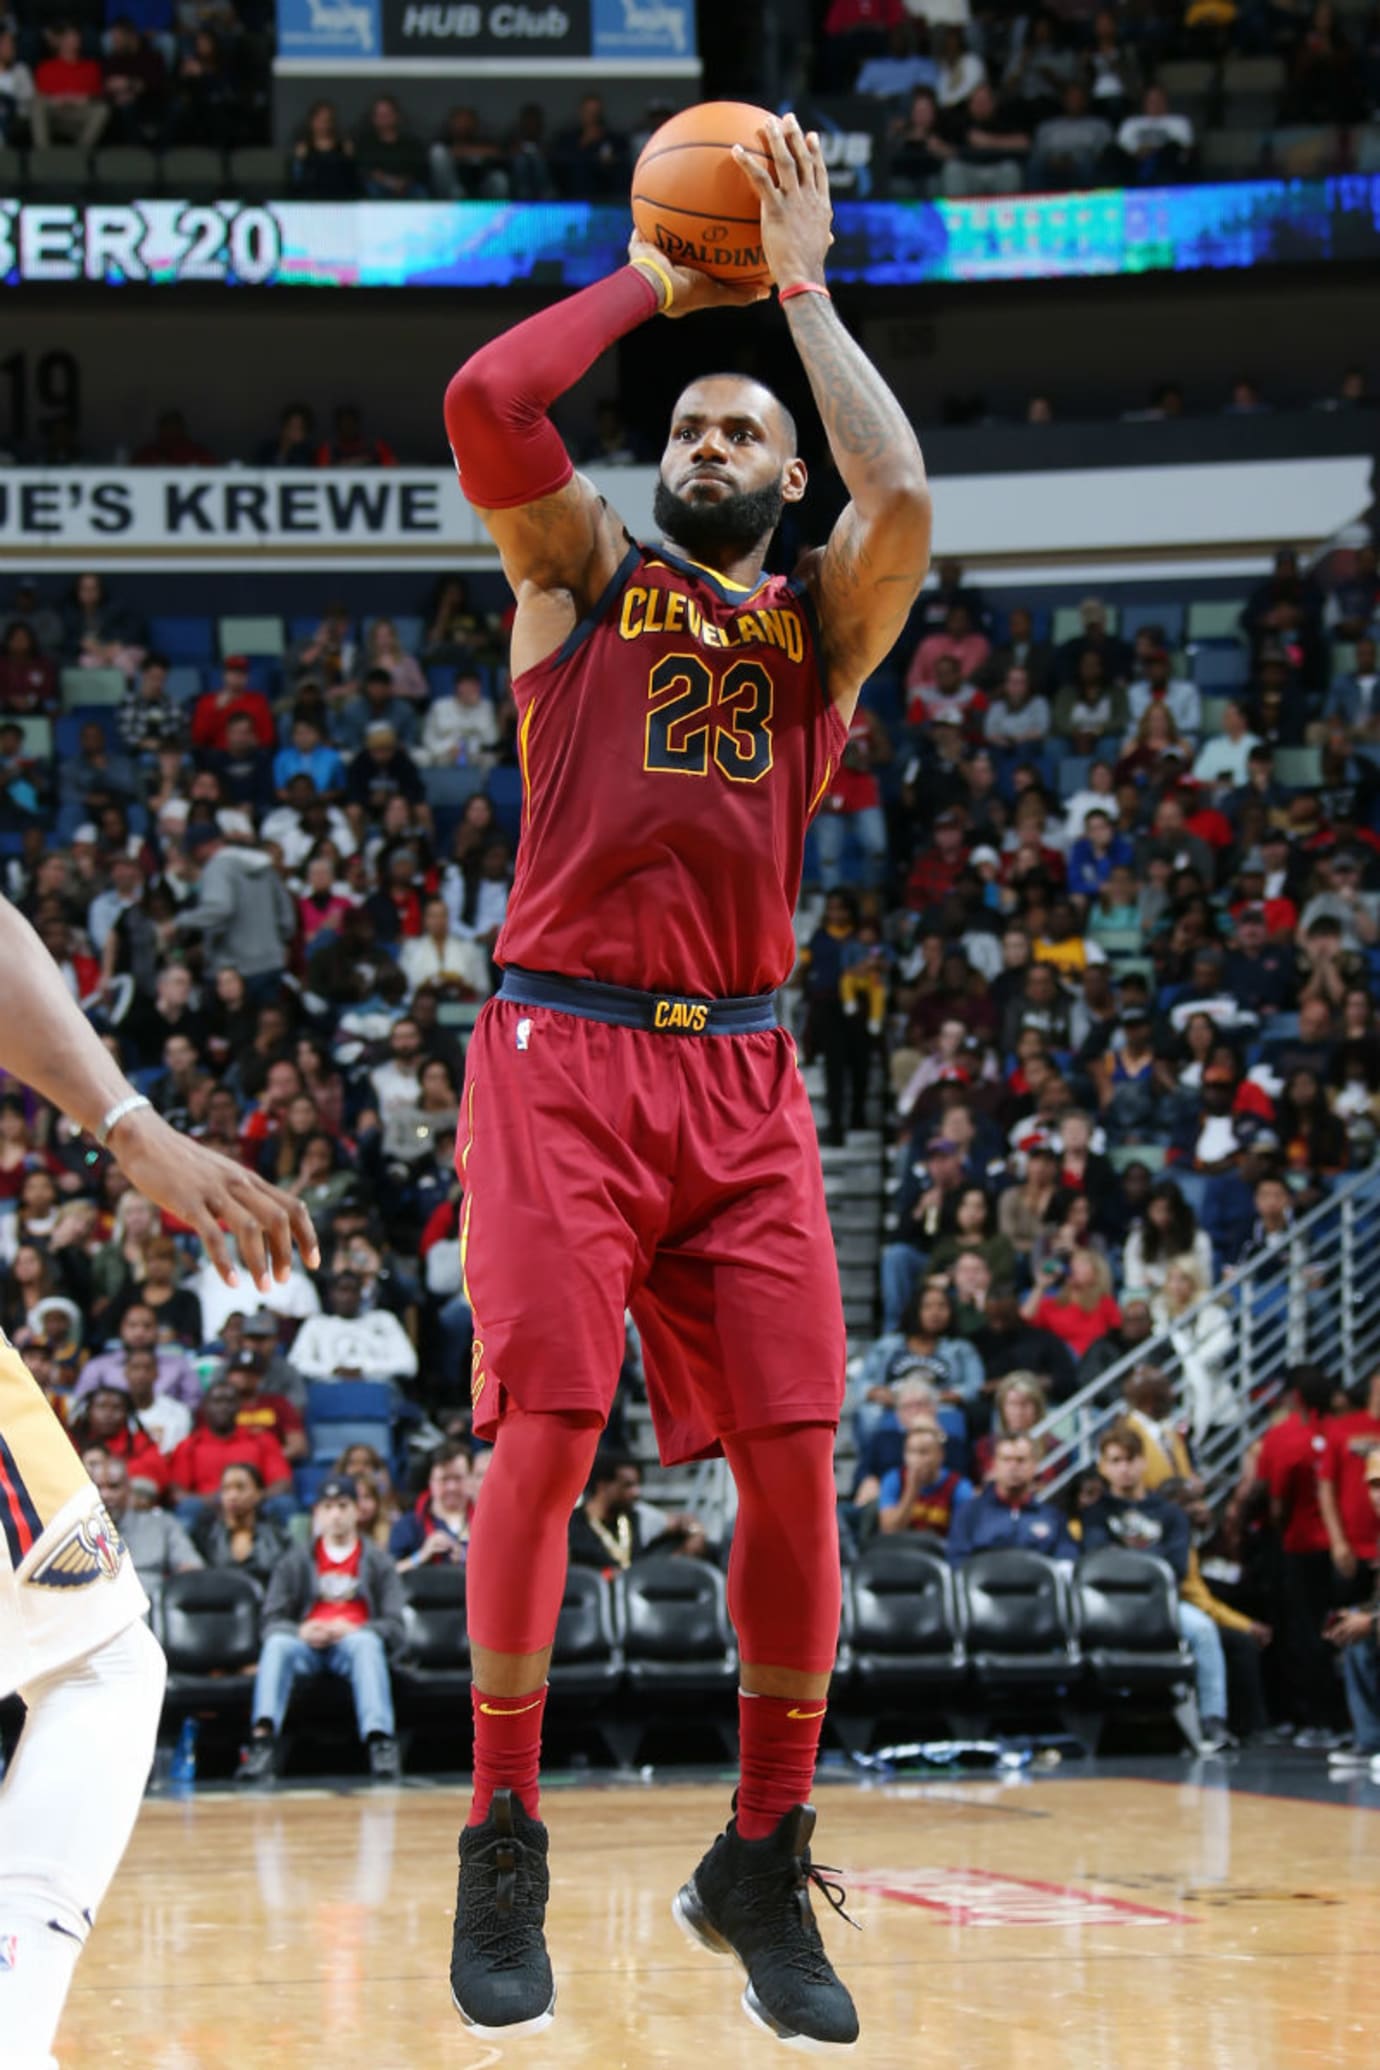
(673, 1626)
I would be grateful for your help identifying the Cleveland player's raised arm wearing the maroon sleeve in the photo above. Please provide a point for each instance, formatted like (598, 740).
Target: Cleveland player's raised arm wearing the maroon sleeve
(560, 541)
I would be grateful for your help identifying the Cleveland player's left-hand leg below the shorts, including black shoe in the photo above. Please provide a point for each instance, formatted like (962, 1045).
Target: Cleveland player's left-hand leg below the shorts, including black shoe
(502, 1976)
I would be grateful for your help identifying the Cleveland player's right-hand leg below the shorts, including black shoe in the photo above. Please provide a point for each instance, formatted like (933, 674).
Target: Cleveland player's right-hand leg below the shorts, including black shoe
(750, 1895)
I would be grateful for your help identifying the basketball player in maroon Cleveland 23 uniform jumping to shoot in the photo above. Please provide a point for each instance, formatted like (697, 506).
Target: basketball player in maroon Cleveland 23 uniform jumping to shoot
(634, 1123)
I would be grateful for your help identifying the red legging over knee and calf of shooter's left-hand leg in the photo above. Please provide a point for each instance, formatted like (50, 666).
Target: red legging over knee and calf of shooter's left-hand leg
(518, 1545)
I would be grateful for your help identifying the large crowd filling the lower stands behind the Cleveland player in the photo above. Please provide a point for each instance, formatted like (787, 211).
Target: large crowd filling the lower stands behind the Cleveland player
(1102, 941)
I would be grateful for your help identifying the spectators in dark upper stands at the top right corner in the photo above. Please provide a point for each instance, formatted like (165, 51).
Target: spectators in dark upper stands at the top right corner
(1025, 100)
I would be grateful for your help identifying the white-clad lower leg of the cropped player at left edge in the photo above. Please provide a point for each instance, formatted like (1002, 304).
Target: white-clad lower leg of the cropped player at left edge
(67, 1810)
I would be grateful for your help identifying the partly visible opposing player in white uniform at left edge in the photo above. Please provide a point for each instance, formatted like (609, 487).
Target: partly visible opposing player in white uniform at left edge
(71, 1614)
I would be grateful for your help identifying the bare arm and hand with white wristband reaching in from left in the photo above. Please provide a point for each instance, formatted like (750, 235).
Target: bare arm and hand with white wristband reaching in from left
(51, 1044)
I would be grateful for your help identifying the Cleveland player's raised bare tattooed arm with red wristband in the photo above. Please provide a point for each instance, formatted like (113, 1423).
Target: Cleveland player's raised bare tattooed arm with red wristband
(878, 554)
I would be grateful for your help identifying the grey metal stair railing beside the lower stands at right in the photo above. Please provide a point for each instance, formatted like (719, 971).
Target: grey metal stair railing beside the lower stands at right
(1315, 1295)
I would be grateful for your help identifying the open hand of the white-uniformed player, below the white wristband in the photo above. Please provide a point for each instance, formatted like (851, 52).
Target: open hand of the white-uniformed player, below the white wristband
(214, 1197)
